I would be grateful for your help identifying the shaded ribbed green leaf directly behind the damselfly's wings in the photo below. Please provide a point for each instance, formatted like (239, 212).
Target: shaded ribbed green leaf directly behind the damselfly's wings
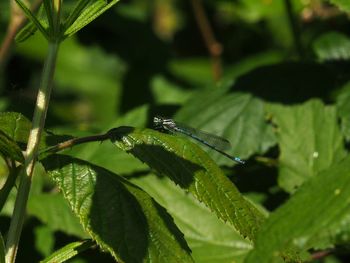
(238, 117)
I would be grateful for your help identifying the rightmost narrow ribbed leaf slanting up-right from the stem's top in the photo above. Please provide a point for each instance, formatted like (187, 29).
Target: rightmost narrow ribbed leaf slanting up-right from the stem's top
(89, 14)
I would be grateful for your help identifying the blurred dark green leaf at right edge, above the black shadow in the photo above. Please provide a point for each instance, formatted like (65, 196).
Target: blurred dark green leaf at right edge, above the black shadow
(332, 46)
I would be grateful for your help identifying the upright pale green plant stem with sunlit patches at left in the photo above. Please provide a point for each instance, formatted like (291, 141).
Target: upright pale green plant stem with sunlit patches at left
(41, 106)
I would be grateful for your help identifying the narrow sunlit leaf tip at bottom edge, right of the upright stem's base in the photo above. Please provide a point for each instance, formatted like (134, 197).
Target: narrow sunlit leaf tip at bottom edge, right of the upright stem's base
(68, 251)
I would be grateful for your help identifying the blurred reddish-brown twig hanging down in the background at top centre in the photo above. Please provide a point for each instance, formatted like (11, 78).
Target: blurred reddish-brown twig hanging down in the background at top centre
(213, 46)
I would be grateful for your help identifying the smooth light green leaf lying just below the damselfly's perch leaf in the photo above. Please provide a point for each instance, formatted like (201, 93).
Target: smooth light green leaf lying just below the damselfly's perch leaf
(210, 239)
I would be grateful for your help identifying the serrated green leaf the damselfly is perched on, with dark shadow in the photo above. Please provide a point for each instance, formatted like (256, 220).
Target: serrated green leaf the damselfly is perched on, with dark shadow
(190, 167)
